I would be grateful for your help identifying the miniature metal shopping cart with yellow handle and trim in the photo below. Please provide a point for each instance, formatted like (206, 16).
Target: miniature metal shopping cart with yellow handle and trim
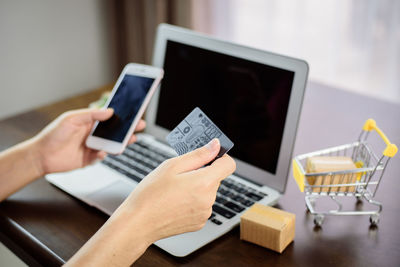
(361, 182)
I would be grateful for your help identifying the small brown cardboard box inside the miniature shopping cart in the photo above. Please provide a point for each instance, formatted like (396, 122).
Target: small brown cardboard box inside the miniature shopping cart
(331, 164)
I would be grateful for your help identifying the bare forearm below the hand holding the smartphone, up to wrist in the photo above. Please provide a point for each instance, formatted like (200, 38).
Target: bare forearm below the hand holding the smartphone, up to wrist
(19, 166)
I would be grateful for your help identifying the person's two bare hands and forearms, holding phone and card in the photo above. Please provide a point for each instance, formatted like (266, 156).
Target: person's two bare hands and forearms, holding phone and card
(176, 197)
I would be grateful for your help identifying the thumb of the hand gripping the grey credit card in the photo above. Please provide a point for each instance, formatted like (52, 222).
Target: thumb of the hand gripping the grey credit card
(199, 157)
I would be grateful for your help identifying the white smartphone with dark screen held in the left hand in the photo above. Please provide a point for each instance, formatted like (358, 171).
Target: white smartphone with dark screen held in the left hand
(129, 98)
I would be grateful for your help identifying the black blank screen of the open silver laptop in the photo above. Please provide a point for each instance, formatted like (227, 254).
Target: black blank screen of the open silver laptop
(248, 101)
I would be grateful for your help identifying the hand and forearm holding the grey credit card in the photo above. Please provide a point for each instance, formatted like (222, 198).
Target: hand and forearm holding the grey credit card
(175, 198)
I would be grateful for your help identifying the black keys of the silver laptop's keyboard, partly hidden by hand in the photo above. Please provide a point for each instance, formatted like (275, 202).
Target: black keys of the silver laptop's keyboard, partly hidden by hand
(139, 159)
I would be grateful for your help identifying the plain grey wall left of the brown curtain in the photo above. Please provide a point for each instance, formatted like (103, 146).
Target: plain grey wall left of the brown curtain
(50, 50)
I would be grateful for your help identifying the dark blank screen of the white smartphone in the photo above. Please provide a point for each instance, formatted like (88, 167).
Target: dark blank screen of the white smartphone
(126, 103)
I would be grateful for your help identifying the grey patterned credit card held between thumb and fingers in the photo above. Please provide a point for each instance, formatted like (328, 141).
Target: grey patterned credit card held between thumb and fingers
(195, 131)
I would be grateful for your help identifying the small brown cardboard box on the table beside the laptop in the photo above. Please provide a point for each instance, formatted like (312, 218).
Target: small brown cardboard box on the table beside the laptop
(268, 227)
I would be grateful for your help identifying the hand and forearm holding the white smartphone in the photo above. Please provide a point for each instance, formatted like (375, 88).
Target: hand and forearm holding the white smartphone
(58, 147)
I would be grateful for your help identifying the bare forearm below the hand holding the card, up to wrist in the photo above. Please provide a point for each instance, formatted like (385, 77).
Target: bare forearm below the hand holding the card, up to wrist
(119, 242)
